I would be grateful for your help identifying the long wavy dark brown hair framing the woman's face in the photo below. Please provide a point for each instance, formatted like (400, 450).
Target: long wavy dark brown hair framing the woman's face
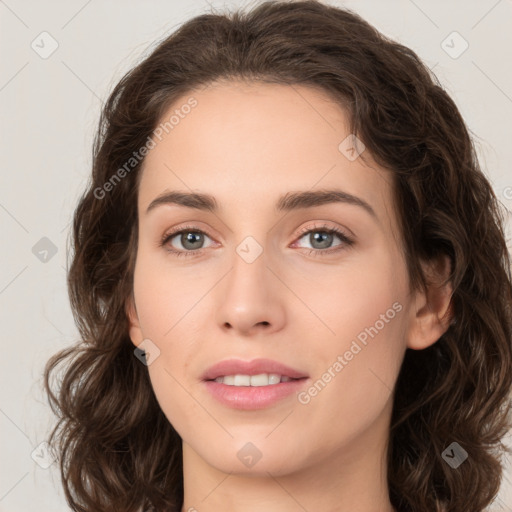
(117, 451)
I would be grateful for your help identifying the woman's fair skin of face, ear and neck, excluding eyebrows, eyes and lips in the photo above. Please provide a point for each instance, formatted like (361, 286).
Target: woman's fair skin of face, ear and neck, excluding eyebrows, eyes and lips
(248, 144)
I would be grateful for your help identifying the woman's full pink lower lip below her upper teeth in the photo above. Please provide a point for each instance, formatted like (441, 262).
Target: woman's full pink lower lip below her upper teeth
(253, 397)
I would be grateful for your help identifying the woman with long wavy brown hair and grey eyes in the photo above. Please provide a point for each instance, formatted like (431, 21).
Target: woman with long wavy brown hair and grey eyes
(223, 364)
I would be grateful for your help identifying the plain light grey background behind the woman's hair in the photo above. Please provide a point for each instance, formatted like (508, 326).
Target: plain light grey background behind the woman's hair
(49, 111)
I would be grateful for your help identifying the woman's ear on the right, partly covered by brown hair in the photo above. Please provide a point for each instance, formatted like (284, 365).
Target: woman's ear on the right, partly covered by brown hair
(432, 310)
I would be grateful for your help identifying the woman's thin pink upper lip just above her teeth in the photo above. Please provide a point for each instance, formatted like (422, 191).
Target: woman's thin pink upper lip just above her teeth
(254, 367)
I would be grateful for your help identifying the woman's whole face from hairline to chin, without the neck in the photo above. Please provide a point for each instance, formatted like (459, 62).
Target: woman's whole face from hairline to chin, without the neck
(260, 277)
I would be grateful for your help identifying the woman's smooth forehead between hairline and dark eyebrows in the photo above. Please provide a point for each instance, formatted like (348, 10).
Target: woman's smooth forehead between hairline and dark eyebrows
(249, 143)
